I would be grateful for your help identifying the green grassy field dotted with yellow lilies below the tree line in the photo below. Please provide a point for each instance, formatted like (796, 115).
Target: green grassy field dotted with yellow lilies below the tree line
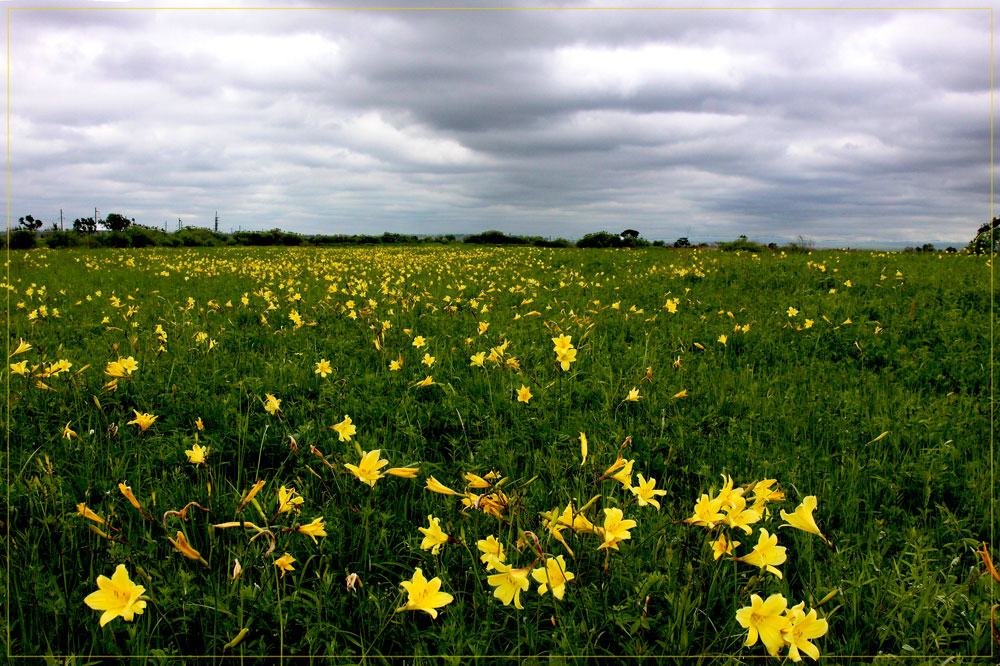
(858, 379)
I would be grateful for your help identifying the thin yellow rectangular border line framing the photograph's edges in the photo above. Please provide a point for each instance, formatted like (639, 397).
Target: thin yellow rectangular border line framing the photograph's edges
(415, 9)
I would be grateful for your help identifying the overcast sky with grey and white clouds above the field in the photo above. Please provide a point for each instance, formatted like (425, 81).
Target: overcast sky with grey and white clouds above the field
(842, 125)
